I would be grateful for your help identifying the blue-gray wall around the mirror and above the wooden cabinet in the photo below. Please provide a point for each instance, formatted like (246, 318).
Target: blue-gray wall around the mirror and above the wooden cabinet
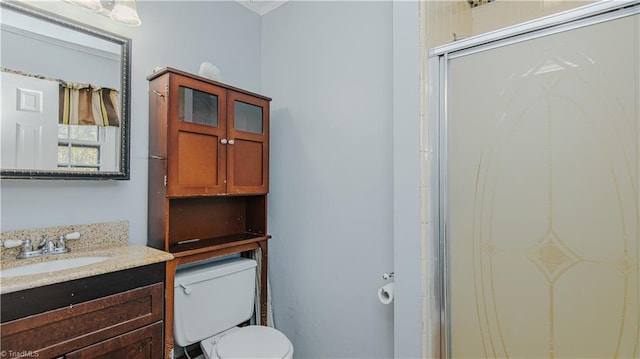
(178, 34)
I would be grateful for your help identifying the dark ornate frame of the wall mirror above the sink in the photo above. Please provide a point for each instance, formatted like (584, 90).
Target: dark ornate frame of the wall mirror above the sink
(122, 173)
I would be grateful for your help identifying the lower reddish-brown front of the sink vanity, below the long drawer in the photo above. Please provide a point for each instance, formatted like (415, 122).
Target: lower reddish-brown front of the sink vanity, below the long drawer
(143, 343)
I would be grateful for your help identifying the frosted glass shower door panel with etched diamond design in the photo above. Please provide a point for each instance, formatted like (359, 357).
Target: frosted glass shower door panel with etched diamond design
(543, 158)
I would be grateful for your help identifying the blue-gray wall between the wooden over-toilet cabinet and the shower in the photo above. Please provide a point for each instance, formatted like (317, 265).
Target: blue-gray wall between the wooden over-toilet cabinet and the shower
(328, 67)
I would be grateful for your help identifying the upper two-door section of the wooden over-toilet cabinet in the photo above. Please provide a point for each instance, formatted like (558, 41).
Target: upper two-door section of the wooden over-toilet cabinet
(213, 137)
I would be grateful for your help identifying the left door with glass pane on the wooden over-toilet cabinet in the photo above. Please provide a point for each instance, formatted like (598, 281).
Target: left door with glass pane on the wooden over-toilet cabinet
(197, 127)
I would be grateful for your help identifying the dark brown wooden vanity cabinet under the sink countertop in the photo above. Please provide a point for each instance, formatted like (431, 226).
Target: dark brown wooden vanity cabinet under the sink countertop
(114, 315)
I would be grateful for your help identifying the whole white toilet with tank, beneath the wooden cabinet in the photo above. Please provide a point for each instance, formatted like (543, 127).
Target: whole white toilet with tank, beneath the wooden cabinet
(211, 300)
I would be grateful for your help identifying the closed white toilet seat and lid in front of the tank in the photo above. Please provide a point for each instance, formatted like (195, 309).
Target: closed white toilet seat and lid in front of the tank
(252, 341)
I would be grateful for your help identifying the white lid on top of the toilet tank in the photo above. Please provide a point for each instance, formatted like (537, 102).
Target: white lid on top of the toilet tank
(199, 273)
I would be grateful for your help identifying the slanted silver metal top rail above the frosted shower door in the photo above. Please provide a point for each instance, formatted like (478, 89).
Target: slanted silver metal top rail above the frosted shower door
(534, 25)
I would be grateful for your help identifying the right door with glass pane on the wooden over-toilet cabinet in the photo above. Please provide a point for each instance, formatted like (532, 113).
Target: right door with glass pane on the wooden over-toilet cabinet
(248, 146)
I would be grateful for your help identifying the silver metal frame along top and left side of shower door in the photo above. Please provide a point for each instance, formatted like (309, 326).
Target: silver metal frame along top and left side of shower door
(439, 327)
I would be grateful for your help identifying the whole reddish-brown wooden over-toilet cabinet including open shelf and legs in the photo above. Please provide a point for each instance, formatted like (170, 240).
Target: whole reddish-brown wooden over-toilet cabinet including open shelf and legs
(208, 174)
